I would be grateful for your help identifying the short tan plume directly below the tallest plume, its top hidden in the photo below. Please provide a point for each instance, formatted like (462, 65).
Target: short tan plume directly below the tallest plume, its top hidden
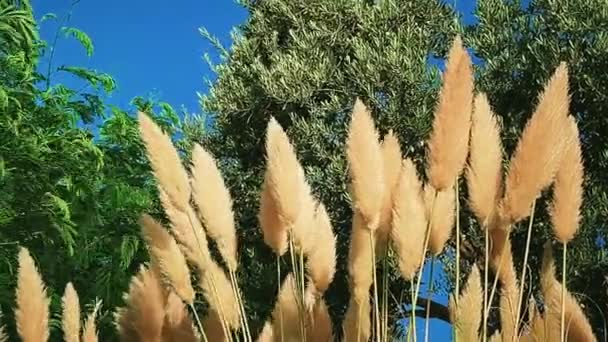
(442, 209)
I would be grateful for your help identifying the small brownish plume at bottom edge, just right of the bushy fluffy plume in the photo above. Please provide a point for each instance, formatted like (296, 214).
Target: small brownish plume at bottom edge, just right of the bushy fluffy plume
(177, 326)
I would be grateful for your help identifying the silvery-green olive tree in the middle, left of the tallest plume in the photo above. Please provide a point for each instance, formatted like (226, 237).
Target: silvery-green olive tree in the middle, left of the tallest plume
(304, 62)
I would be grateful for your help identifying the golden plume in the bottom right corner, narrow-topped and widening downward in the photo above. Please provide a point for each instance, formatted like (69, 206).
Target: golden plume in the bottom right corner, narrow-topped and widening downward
(577, 325)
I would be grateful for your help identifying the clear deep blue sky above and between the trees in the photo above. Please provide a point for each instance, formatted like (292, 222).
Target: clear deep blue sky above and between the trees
(154, 47)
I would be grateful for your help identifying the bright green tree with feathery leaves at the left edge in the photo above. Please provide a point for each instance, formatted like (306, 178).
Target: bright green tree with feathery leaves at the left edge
(72, 193)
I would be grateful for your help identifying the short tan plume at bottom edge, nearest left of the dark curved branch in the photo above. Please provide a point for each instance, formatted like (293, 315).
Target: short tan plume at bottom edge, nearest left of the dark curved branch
(357, 324)
